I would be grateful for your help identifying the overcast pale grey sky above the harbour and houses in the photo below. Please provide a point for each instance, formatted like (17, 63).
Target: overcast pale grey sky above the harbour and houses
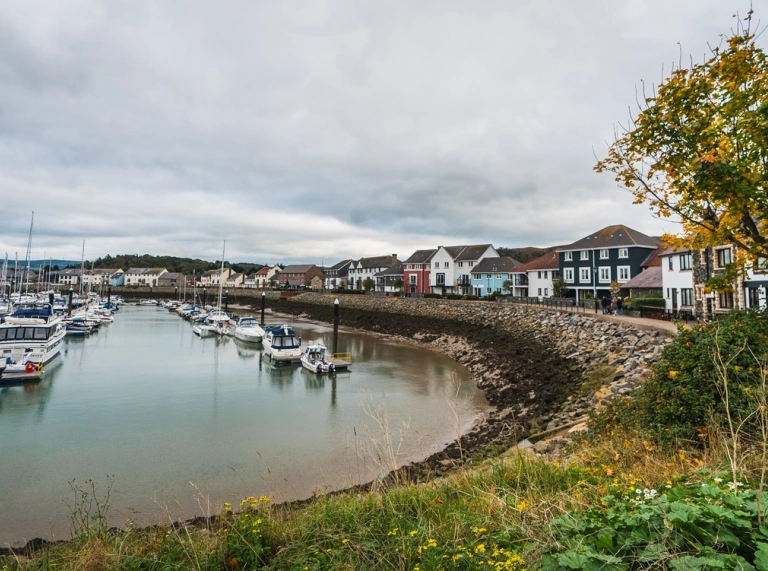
(311, 132)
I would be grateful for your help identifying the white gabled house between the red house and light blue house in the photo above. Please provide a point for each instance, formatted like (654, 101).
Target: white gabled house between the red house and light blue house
(451, 267)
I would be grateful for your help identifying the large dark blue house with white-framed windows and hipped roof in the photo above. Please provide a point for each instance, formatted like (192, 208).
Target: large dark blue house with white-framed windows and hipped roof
(616, 253)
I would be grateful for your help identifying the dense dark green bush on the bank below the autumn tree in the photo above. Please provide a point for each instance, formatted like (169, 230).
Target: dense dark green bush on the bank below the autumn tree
(685, 391)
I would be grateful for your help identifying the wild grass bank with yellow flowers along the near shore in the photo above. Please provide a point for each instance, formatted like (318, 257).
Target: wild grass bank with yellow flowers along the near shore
(496, 515)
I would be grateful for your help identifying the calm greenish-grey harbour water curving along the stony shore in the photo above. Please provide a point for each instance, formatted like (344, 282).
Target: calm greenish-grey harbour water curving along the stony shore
(182, 423)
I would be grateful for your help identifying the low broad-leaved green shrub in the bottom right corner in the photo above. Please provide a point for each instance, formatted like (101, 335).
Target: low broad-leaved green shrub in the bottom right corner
(712, 525)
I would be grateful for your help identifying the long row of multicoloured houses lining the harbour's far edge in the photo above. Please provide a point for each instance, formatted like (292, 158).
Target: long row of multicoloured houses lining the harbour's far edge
(590, 267)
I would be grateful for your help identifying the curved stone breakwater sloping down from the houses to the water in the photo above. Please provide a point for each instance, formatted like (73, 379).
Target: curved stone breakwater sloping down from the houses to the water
(533, 364)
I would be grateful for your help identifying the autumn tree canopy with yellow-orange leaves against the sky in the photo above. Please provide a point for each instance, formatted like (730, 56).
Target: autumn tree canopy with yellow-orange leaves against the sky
(698, 149)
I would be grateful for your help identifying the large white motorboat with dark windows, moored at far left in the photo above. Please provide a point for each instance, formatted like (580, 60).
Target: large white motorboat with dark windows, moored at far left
(31, 335)
